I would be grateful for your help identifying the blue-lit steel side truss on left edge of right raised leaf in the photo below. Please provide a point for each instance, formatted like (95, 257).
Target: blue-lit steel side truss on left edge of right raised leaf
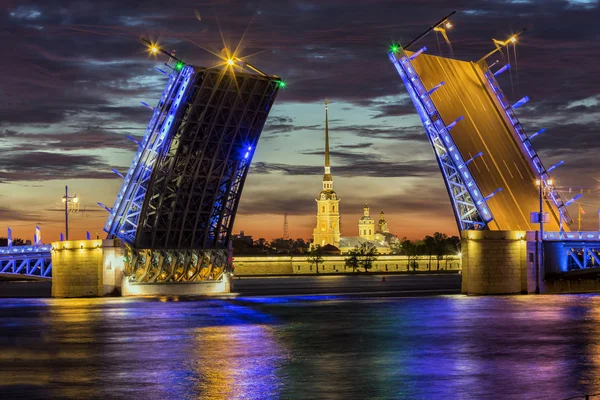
(470, 207)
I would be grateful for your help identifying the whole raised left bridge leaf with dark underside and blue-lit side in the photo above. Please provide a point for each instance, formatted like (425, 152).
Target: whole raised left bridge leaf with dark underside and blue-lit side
(184, 186)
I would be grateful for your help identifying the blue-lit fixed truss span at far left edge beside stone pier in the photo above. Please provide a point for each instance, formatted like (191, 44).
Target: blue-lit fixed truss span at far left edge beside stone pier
(33, 262)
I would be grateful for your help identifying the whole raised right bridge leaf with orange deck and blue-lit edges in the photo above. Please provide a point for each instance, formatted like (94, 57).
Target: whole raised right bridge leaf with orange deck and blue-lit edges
(489, 165)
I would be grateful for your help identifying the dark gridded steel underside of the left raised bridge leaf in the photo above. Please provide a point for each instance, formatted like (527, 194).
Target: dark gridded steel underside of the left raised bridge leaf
(195, 188)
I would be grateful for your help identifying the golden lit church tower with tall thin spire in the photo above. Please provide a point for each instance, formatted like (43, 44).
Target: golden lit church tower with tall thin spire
(327, 230)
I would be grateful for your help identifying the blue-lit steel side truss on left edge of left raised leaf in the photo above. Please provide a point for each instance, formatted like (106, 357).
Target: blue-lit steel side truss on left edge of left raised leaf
(124, 216)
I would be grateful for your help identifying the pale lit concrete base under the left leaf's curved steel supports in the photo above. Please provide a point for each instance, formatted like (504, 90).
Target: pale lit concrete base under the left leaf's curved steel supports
(176, 289)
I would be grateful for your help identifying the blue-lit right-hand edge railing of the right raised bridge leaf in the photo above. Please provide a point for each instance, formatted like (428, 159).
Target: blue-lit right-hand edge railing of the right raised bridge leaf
(527, 148)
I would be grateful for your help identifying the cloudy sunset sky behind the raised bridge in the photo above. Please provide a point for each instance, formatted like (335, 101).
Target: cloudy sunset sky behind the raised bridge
(74, 74)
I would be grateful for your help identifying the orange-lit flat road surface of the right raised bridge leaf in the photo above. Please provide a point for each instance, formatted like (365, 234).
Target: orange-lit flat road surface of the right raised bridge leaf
(484, 129)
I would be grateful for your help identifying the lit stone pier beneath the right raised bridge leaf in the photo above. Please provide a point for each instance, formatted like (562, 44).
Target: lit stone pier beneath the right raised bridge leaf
(499, 262)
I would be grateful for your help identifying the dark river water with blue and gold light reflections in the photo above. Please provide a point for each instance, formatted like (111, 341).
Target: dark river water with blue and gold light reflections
(297, 347)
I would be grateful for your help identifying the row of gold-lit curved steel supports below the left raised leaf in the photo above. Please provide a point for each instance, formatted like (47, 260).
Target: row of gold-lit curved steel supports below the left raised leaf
(175, 266)
